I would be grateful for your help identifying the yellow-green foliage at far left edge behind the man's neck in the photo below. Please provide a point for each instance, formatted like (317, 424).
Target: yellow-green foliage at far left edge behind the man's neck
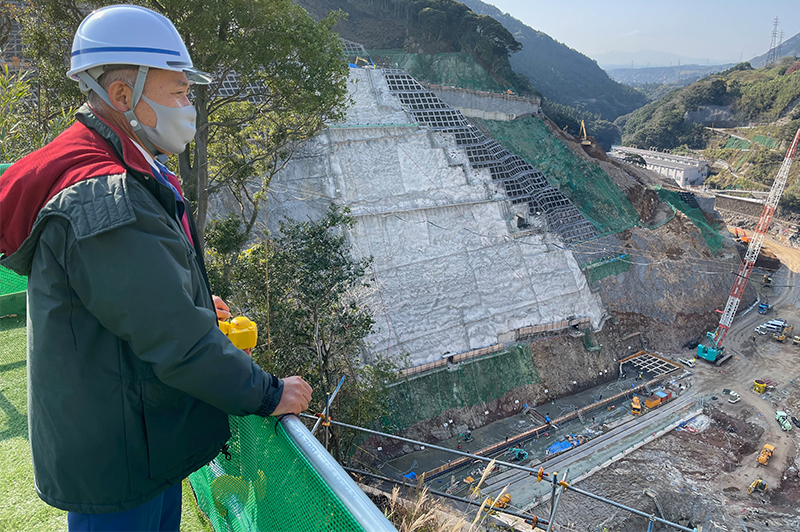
(24, 124)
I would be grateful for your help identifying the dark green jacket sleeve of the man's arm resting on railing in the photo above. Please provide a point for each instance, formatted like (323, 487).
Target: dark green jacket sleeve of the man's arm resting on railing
(141, 282)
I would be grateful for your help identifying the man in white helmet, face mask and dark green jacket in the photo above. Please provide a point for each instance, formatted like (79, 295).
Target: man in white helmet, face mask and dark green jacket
(130, 379)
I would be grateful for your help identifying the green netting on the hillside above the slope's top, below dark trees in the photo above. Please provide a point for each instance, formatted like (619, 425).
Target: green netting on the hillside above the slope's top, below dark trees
(458, 70)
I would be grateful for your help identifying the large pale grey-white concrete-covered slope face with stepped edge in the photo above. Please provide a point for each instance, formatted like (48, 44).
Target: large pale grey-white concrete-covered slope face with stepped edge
(452, 266)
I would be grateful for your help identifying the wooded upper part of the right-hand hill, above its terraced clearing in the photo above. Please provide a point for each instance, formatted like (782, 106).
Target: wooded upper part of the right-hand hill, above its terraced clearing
(739, 96)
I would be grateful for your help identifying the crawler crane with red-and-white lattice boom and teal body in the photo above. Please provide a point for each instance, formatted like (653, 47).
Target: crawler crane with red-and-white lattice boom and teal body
(714, 351)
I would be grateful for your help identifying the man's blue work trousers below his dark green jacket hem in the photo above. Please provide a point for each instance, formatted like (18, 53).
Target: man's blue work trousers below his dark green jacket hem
(159, 514)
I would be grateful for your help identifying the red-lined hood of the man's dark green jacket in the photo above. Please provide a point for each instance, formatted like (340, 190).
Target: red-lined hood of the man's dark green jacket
(91, 147)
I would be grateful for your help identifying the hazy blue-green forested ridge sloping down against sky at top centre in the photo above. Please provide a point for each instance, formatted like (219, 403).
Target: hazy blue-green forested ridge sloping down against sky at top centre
(562, 74)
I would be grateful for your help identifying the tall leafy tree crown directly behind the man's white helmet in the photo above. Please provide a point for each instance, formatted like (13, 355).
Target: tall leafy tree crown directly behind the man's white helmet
(287, 70)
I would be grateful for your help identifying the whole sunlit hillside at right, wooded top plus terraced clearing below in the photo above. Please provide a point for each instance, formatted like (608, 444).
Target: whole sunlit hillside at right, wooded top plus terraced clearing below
(740, 120)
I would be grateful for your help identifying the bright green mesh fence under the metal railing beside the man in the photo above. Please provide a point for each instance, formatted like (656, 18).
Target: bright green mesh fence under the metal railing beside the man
(260, 487)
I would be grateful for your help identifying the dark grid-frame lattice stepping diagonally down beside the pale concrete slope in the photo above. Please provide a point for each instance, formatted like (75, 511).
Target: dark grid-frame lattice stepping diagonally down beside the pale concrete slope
(523, 183)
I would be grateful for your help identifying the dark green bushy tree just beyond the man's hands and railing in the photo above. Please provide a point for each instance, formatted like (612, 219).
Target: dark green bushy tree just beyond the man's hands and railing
(308, 296)
